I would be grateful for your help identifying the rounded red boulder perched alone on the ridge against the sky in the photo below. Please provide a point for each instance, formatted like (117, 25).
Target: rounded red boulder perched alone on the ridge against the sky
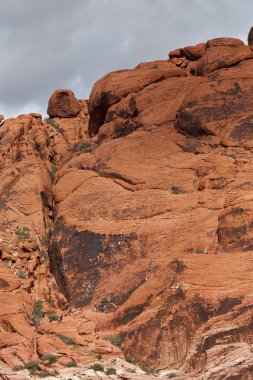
(63, 103)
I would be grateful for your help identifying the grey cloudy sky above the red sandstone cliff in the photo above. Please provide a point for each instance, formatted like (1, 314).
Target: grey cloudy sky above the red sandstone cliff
(50, 44)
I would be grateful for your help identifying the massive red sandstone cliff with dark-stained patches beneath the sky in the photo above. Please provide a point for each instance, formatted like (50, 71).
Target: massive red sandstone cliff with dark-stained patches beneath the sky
(133, 223)
